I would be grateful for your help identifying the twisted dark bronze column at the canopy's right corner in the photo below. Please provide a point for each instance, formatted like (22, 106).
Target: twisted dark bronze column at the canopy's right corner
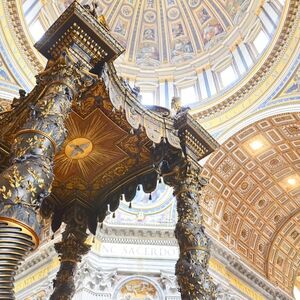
(192, 267)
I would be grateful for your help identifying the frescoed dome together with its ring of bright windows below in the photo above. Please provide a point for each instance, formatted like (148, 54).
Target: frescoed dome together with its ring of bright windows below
(197, 49)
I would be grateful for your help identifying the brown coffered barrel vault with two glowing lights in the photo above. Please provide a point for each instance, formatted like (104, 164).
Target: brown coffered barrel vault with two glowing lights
(252, 204)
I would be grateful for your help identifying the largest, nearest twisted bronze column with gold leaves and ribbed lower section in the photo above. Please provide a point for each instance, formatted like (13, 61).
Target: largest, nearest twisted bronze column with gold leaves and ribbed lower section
(28, 180)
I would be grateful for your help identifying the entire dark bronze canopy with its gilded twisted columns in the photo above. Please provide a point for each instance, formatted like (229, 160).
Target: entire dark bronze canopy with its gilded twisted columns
(105, 144)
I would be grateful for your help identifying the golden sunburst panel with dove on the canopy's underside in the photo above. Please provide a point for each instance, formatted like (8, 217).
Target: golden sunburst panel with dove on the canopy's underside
(91, 147)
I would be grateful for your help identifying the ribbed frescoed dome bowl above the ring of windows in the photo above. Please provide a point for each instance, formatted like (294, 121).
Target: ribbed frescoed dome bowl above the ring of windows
(193, 27)
